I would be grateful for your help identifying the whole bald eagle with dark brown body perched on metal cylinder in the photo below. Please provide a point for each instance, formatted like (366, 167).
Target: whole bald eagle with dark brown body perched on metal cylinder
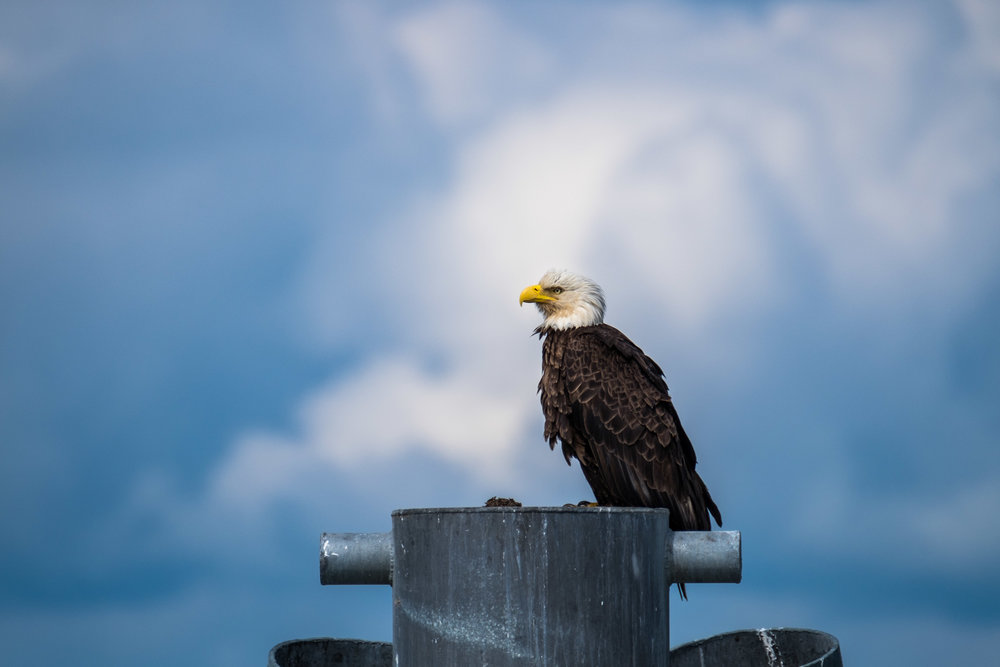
(607, 403)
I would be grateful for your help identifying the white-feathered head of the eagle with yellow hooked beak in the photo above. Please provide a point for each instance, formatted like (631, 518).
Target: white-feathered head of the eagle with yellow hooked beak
(566, 299)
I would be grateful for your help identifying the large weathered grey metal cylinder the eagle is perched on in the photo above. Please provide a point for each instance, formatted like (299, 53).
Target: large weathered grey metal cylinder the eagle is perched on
(531, 586)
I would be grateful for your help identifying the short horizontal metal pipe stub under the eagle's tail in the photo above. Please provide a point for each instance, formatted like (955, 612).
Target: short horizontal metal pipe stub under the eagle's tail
(704, 557)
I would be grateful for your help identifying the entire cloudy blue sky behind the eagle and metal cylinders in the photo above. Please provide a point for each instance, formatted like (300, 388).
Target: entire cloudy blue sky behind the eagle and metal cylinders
(233, 239)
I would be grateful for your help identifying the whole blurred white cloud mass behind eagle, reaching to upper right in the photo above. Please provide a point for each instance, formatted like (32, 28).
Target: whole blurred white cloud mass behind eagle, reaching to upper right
(693, 186)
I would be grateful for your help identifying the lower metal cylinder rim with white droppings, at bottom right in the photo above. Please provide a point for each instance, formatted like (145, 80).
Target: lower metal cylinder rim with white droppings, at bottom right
(787, 647)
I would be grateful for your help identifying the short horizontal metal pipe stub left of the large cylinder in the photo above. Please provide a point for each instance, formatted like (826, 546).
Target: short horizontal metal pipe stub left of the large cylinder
(355, 558)
